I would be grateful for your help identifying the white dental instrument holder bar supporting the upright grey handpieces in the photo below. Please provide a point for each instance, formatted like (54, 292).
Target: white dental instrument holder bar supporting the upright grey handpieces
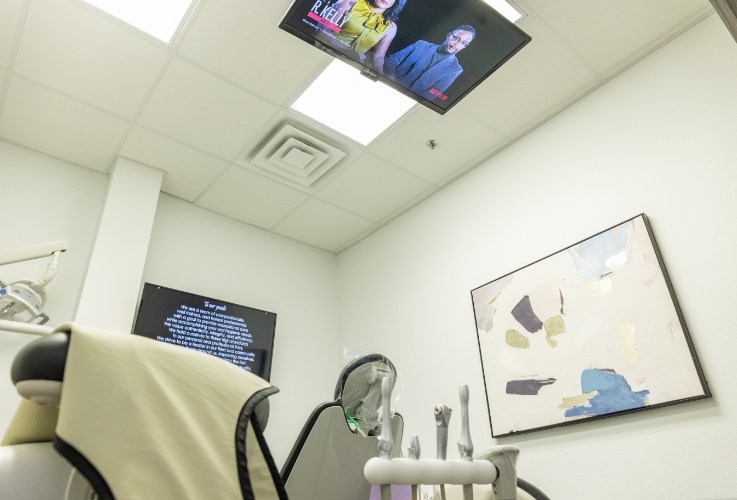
(495, 467)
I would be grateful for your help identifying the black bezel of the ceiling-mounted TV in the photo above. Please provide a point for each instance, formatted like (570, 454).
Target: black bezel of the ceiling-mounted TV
(373, 75)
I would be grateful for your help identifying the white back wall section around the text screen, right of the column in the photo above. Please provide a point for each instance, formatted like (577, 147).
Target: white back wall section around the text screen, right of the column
(200, 252)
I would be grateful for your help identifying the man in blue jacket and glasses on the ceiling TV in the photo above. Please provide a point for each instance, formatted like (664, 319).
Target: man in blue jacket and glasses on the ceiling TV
(428, 69)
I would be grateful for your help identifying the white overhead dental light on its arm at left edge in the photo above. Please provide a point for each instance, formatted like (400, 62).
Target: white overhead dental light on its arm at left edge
(23, 301)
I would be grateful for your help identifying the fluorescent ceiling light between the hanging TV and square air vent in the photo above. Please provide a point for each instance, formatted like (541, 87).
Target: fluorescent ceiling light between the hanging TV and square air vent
(344, 100)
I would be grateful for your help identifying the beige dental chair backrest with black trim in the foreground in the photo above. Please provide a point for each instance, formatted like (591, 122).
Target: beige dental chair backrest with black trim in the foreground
(144, 419)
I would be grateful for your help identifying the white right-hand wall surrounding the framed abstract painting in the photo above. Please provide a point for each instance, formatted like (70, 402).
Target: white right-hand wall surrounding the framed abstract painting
(659, 139)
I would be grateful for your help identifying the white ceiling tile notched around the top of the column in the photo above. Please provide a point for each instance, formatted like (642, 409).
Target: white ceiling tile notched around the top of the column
(188, 171)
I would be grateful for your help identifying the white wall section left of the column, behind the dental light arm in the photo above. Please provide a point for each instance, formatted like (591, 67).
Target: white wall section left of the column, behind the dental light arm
(44, 200)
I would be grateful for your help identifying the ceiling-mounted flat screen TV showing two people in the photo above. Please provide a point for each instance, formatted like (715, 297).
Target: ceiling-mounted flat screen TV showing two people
(434, 51)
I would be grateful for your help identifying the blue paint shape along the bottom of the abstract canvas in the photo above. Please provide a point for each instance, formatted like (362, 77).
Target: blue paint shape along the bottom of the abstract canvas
(614, 394)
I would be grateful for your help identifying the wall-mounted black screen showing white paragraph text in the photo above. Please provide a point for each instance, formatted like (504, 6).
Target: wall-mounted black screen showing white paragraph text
(239, 334)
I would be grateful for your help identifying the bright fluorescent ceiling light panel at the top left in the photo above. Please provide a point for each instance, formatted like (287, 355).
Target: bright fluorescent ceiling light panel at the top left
(160, 18)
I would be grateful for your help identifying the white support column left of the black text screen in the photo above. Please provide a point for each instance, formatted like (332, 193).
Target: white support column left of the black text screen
(110, 291)
